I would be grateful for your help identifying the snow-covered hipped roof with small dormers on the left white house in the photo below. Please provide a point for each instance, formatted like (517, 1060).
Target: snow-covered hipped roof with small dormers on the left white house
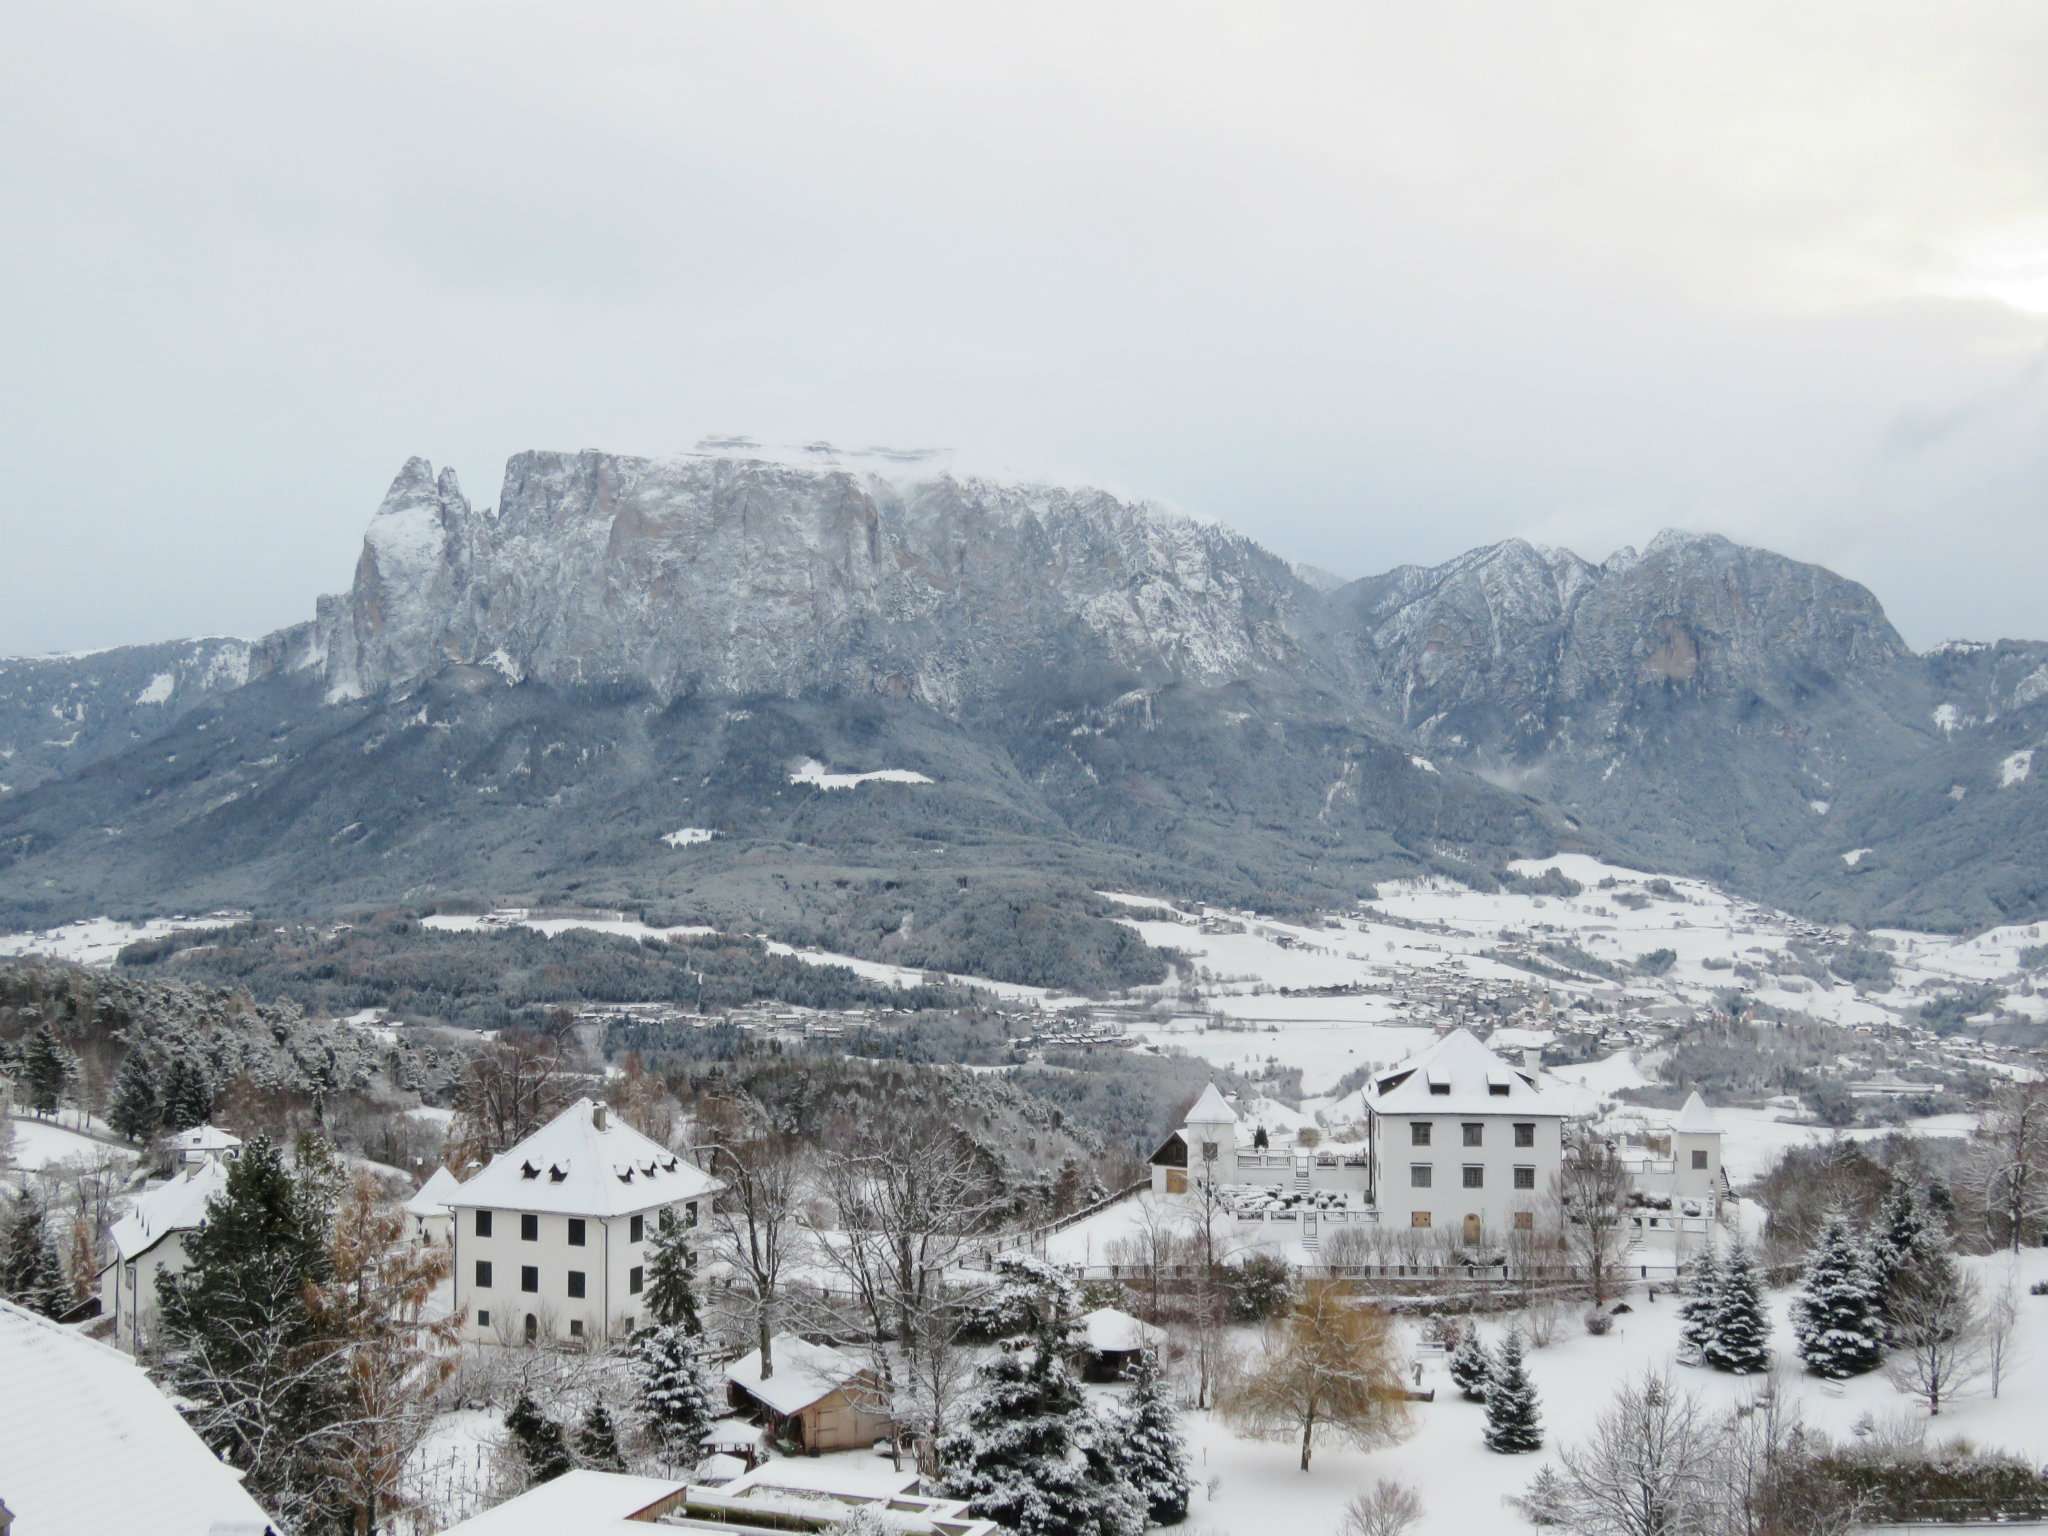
(585, 1162)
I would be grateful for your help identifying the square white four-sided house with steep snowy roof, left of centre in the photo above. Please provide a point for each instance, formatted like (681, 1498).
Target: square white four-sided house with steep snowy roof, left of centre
(552, 1238)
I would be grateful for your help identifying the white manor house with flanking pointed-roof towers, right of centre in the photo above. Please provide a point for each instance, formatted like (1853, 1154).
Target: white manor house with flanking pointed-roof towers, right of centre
(1455, 1140)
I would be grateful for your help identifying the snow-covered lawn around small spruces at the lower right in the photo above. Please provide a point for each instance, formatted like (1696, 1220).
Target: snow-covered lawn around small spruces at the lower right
(1463, 1486)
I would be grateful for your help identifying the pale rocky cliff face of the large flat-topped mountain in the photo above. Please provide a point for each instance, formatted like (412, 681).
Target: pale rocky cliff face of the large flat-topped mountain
(712, 574)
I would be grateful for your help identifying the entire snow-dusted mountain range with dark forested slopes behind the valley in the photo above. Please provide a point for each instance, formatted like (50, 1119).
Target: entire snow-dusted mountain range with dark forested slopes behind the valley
(523, 703)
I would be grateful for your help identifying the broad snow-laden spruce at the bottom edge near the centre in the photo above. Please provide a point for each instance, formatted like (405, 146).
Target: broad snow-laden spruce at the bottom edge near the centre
(1033, 1457)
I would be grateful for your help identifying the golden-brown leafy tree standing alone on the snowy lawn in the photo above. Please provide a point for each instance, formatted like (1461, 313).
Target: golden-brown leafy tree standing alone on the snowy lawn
(1330, 1365)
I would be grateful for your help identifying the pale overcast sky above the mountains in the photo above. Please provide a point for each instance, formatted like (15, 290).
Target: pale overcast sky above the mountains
(1367, 282)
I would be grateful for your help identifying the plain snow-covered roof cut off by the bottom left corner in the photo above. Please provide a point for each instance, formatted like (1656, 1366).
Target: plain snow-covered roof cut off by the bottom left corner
(95, 1447)
